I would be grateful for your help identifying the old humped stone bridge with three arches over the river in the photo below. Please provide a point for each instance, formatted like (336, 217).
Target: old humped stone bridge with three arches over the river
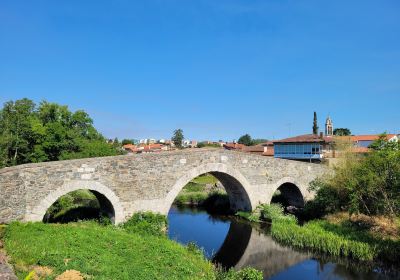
(150, 182)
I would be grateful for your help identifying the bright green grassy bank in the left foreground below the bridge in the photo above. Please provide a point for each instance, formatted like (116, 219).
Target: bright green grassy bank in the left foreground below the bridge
(135, 250)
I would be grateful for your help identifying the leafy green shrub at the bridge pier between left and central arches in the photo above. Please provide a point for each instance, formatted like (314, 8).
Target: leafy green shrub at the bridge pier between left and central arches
(146, 223)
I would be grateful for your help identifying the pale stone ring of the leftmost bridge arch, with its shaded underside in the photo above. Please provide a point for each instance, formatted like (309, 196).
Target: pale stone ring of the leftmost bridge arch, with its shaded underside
(99, 190)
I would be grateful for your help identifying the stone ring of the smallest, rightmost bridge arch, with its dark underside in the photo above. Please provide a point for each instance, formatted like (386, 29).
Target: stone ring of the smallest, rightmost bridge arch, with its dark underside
(292, 191)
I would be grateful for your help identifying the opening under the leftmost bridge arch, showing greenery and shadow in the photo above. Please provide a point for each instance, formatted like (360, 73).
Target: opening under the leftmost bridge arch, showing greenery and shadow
(79, 205)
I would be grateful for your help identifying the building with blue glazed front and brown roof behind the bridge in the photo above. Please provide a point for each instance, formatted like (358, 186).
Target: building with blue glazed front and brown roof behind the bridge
(303, 147)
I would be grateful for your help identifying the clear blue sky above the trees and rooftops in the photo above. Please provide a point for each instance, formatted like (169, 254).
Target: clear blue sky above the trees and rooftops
(216, 69)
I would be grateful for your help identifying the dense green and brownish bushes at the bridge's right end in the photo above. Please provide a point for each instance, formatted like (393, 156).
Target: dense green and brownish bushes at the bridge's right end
(368, 185)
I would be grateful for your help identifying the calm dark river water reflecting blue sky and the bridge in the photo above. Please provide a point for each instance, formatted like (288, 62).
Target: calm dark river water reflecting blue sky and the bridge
(234, 243)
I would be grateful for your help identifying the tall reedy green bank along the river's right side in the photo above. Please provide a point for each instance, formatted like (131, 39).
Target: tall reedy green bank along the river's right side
(343, 239)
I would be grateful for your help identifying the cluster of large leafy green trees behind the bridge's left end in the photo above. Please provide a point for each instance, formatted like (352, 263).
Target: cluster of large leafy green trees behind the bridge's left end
(47, 132)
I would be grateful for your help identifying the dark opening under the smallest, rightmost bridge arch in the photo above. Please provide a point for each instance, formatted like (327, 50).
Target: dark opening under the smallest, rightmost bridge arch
(289, 196)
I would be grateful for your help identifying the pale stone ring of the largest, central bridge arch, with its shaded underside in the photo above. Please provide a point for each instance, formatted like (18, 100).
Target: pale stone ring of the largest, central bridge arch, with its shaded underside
(235, 184)
